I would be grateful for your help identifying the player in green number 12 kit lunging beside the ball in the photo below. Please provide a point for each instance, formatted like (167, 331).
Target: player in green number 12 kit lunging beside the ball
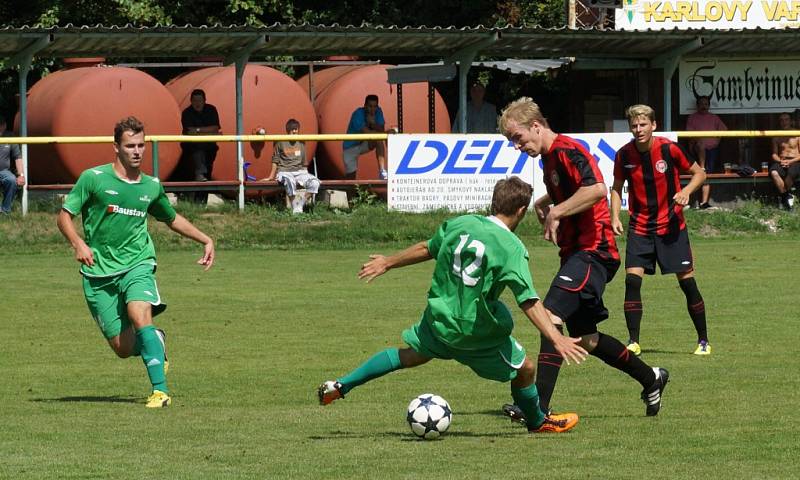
(476, 257)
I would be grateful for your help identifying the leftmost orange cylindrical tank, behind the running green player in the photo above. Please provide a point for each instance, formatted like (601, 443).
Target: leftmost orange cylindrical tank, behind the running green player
(89, 101)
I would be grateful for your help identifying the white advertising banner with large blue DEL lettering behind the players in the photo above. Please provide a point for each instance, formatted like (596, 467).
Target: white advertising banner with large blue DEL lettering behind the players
(458, 172)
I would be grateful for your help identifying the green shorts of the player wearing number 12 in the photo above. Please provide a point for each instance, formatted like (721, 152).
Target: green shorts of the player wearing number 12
(499, 363)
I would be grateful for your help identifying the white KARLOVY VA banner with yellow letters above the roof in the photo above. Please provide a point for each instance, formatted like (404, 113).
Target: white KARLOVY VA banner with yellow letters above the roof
(707, 14)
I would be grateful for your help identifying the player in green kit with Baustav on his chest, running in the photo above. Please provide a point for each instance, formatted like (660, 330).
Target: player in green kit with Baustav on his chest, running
(118, 258)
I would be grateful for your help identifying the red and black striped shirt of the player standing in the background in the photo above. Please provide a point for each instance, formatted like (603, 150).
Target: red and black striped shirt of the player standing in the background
(653, 179)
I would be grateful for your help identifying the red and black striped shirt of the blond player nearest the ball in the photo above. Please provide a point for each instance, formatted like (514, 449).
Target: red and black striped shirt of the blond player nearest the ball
(568, 166)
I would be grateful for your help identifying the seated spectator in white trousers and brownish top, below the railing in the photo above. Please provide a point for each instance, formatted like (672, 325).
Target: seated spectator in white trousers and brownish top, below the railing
(290, 169)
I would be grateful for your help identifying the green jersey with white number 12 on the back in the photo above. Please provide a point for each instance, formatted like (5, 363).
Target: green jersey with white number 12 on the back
(476, 259)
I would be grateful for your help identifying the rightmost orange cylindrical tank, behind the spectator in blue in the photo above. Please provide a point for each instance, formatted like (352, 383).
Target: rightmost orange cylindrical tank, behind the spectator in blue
(340, 90)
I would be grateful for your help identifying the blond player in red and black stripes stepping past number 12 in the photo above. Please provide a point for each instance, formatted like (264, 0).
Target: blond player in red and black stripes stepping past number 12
(575, 215)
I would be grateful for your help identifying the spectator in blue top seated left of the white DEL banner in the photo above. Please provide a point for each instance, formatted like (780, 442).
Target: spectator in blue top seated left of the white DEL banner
(366, 119)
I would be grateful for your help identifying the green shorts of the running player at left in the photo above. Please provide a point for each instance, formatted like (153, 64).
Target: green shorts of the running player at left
(108, 297)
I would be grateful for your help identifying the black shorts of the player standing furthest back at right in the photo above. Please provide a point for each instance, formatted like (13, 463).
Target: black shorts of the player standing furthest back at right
(672, 252)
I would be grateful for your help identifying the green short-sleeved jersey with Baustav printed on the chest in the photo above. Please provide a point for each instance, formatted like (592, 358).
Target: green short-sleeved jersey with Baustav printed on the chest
(114, 215)
